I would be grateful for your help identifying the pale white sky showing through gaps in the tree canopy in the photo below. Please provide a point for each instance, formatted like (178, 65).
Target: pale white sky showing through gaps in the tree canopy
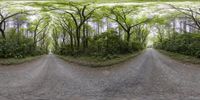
(148, 9)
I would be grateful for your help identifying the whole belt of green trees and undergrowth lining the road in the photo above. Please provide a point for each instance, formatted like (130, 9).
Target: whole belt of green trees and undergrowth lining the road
(79, 29)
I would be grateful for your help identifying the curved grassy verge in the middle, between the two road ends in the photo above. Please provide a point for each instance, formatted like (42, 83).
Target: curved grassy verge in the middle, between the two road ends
(92, 61)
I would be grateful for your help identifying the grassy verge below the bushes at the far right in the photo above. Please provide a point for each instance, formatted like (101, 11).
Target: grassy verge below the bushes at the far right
(180, 57)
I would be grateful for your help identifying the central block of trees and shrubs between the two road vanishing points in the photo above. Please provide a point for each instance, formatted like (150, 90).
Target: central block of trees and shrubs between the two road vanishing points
(89, 32)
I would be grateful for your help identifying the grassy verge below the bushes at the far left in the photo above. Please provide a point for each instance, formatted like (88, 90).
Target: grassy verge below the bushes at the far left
(12, 61)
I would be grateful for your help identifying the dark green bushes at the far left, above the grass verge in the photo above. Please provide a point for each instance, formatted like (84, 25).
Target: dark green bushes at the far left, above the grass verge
(18, 46)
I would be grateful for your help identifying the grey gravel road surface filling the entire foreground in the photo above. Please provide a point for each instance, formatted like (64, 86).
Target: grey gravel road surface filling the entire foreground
(150, 76)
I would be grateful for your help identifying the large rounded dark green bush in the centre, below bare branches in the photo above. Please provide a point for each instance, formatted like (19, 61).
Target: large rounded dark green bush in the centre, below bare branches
(109, 43)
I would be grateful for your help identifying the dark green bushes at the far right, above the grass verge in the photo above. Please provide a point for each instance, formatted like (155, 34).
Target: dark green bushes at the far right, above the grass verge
(187, 44)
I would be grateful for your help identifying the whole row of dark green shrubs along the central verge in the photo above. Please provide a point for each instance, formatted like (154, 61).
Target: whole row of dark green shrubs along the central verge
(105, 45)
